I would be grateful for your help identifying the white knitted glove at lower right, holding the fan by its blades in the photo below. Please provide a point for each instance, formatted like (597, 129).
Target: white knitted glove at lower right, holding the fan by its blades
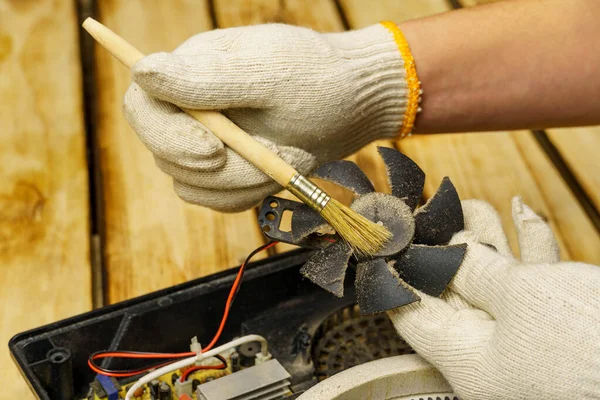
(510, 329)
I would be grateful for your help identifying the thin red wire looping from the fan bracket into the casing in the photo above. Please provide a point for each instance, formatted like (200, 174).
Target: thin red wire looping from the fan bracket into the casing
(236, 284)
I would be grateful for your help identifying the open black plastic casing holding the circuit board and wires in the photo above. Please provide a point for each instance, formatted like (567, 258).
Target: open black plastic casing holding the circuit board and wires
(274, 301)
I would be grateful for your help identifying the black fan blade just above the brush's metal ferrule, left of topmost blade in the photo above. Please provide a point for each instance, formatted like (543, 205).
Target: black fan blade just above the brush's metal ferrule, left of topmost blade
(346, 174)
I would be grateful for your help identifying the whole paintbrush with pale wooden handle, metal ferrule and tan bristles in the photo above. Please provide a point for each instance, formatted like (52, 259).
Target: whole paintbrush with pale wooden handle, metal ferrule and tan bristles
(364, 236)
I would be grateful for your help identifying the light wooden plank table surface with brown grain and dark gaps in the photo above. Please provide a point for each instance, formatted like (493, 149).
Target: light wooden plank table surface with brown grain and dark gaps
(87, 219)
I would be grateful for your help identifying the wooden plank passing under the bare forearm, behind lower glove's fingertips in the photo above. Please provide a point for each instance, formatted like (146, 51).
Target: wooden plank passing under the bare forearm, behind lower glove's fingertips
(491, 166)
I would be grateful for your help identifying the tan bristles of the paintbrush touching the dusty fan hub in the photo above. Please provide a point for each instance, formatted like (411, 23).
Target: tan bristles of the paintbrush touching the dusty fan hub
(364, 236)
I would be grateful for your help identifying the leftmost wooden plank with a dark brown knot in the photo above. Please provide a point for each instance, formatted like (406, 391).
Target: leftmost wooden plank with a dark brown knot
(44, 217)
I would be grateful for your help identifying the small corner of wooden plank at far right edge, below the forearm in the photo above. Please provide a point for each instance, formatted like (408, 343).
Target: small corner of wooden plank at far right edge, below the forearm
(579, 148)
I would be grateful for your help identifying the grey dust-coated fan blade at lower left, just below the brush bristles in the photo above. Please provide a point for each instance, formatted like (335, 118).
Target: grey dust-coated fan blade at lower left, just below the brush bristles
(328, 267)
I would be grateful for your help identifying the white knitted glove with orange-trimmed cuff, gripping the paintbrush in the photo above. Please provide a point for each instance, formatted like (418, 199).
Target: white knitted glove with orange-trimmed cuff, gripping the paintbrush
(310, 97)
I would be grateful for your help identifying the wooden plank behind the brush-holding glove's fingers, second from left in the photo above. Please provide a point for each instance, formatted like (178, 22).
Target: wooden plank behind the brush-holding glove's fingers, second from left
(153, 238)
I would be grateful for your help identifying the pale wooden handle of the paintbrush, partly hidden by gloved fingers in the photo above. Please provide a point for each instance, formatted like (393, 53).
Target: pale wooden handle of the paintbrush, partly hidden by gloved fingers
(228, 132)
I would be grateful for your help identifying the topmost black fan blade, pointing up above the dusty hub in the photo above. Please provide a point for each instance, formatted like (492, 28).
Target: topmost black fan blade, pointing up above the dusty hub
(405, 177)
